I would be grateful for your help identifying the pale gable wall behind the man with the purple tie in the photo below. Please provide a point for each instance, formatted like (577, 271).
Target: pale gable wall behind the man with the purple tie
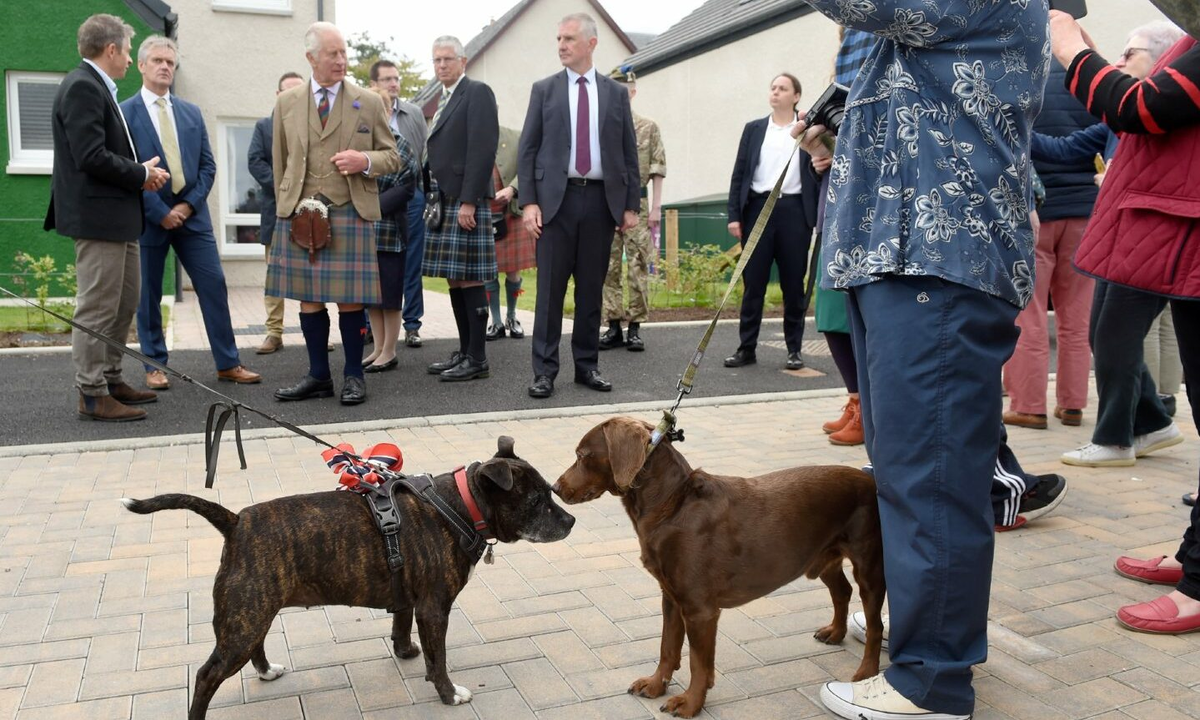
(527, 52)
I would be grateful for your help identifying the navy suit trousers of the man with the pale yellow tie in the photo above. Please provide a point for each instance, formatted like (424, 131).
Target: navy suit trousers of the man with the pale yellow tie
(199, 254)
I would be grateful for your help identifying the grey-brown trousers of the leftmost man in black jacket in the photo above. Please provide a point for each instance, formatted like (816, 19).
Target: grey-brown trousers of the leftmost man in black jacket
(106, 302)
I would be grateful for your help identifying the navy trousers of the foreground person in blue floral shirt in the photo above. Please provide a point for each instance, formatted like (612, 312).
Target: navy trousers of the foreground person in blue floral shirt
(929, 367)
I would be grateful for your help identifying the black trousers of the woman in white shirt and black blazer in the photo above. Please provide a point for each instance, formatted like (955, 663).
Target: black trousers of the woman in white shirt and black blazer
(785, 242)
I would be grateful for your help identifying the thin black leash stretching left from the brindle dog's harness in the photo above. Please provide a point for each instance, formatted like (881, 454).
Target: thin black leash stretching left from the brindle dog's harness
(220, 413)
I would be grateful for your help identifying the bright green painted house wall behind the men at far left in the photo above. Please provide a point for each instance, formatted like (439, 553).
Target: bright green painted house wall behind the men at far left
(41, 38)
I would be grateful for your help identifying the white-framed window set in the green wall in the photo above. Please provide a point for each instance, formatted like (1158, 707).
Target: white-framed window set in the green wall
(31, 105)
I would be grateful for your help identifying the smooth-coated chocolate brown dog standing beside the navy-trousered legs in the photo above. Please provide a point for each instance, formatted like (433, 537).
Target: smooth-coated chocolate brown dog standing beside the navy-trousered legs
(721, 542)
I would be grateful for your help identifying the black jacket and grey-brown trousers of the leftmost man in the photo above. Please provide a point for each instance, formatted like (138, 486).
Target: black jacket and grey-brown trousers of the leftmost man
(97, 200)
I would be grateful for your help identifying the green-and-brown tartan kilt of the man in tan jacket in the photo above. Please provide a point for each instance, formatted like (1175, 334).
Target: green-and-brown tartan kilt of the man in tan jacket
(346, 272)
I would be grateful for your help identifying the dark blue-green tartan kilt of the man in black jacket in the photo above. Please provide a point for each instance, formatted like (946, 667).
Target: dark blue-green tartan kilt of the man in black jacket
(455, 254)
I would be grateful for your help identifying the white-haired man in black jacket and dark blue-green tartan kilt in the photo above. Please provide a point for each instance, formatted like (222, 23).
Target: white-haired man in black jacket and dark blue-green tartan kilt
(460, 248)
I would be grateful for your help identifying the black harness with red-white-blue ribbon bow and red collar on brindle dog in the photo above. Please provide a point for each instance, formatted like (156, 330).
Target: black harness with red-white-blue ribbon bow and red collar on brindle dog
(379, 479)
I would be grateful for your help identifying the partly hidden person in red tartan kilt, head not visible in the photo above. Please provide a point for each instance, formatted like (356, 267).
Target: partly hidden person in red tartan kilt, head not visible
(517, 249)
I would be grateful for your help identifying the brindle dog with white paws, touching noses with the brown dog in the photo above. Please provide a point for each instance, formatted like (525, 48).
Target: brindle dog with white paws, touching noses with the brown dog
(326, 549)
